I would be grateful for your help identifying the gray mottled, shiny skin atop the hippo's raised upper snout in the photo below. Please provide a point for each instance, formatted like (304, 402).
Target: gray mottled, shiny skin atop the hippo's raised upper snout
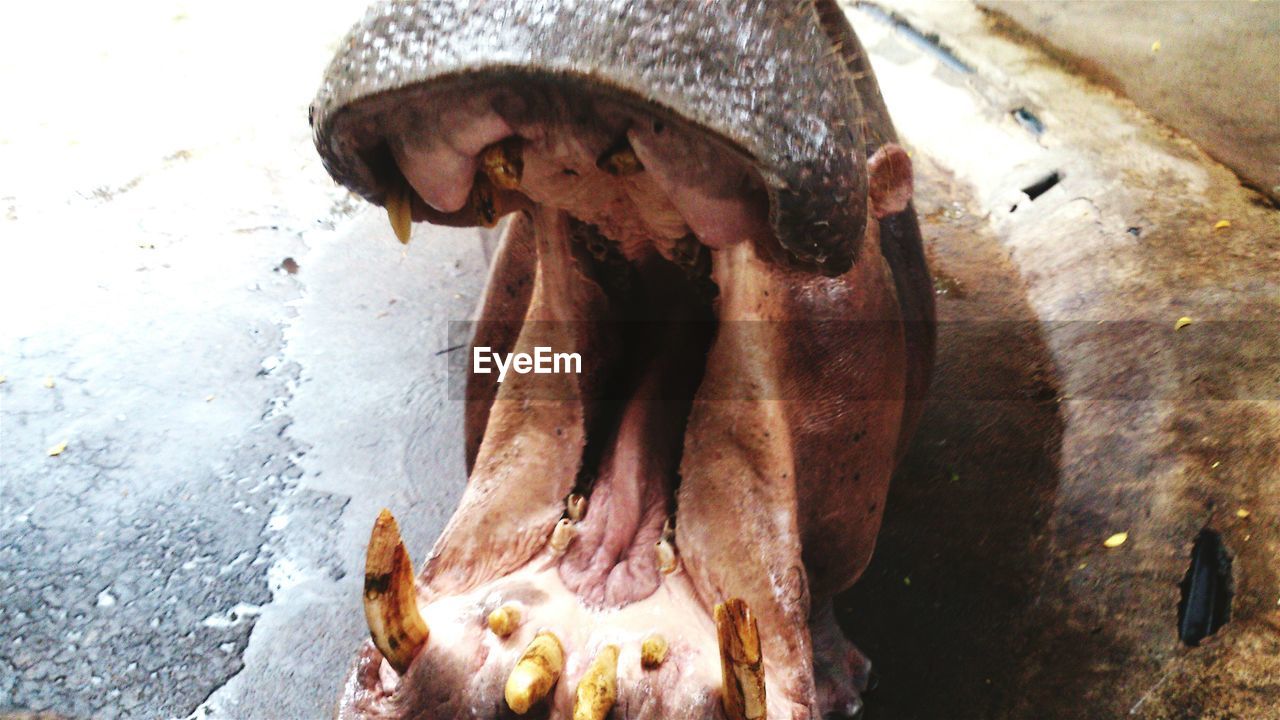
(762, 76)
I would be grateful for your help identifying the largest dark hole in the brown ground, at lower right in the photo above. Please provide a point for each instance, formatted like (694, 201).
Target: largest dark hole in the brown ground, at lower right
(1208, 590)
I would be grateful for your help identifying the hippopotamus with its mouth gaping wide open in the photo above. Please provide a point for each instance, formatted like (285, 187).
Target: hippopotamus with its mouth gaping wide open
(708, 207)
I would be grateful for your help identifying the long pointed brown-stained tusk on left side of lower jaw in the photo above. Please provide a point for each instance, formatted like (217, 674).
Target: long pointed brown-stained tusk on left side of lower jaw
(391, 600)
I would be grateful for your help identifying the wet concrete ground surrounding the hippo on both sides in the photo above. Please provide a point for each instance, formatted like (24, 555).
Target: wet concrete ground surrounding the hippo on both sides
(234, 422)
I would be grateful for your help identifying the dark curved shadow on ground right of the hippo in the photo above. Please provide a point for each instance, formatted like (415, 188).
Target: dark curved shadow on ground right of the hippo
(948, 609)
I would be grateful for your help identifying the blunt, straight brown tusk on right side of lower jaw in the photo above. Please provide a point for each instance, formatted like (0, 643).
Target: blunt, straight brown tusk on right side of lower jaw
(742, 662)
